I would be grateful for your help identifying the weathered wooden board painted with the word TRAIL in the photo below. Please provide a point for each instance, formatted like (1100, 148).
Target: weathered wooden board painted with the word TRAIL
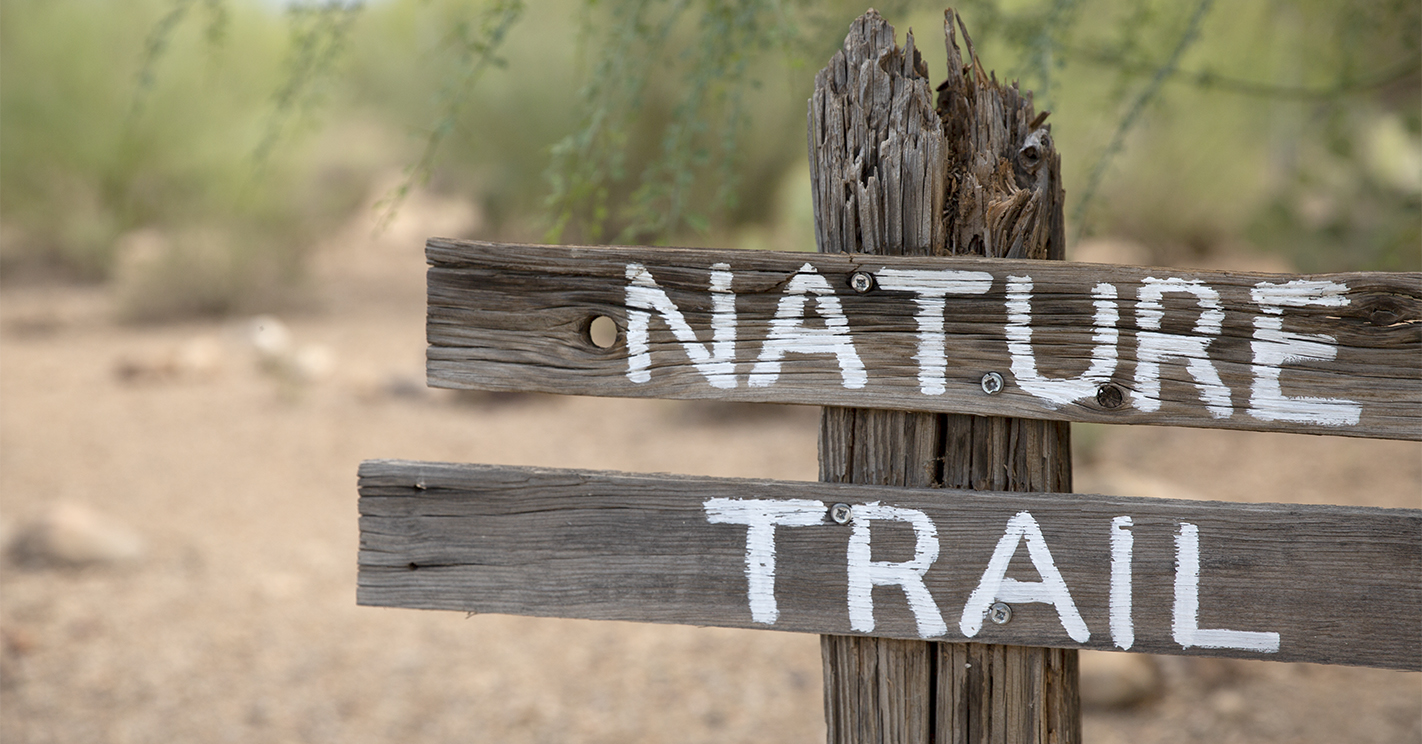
(1332, 585)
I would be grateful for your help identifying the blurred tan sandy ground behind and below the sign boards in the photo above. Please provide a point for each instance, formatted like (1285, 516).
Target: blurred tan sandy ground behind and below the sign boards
(240, 624)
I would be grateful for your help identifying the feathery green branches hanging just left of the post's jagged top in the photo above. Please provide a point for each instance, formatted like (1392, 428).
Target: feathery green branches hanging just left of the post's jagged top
(591, 163)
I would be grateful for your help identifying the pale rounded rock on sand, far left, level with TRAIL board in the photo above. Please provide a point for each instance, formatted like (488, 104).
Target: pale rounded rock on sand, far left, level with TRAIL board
(73, 536)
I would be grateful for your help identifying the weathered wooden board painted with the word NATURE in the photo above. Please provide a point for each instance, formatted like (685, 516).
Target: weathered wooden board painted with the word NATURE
(1079, 342)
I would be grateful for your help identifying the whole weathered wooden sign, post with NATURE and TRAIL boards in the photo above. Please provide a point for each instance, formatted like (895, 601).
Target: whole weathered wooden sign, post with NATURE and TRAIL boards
(901, 336)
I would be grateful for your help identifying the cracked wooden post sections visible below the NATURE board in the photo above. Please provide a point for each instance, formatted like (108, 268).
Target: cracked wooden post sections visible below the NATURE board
(895, 691)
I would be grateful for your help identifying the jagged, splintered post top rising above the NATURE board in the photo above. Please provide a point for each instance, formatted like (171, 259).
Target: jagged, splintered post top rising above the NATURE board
(897, 170)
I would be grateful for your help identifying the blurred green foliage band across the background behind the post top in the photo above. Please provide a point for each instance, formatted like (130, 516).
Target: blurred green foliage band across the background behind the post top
(207, 146)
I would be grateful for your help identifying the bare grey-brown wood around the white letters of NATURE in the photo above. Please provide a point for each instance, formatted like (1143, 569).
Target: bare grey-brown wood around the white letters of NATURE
(517, 318)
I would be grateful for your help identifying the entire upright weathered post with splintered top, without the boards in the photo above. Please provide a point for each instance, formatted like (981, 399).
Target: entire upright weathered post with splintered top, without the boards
(973, 173)
